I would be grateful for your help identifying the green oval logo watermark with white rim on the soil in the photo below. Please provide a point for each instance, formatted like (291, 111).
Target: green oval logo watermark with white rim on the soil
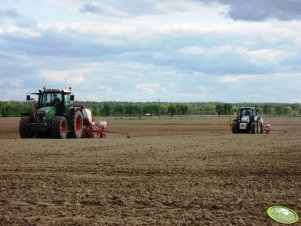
(282, 214)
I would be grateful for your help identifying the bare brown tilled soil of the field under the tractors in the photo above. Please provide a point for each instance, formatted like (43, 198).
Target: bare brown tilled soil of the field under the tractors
(191, 171)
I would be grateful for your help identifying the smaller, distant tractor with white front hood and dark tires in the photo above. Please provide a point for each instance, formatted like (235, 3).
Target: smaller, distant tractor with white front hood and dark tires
(247, 121)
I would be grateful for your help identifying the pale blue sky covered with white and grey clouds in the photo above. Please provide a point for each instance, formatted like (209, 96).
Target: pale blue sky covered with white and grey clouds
(150, 50)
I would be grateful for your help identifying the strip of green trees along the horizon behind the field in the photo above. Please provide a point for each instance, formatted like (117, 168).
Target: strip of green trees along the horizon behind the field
(139, 109)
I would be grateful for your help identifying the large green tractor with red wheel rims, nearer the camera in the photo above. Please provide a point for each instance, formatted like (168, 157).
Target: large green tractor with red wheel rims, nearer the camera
(54, 116)
